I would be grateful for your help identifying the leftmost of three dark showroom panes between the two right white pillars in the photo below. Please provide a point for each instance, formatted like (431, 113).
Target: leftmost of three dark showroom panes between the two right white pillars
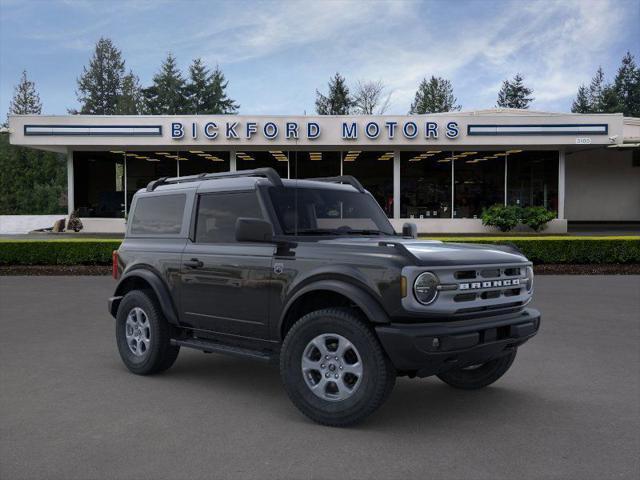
(425, 187)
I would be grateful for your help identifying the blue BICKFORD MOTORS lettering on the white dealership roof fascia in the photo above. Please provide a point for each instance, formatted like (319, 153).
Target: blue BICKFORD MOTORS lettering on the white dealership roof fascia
(293, 130)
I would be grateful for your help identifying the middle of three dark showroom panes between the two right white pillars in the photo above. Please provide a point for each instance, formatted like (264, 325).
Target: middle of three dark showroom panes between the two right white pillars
(479, 182)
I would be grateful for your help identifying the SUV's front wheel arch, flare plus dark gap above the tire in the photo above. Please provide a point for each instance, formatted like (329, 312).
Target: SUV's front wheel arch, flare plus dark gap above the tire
(326, 293)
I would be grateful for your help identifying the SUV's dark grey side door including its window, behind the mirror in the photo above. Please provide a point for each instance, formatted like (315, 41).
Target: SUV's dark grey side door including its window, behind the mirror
(225, 284)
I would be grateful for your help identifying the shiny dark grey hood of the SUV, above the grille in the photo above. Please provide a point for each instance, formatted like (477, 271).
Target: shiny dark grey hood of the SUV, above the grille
(435, 252)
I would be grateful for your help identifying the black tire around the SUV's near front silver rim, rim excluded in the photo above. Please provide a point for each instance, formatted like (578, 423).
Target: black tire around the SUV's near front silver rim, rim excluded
(378, 377)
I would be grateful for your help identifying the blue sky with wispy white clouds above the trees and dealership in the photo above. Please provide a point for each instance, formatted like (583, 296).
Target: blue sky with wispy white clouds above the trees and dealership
(276, 54)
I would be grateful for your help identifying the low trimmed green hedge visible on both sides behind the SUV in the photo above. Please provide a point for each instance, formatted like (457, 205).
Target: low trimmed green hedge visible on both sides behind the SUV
(547, 249)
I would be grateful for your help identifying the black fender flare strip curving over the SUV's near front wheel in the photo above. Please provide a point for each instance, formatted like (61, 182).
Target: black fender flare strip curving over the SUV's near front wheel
(358, 295)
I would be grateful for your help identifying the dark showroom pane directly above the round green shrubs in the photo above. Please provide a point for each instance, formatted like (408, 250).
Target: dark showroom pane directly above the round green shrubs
(532, 178)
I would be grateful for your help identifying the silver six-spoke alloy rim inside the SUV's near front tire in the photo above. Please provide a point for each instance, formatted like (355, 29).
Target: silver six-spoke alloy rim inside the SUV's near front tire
(332, 367)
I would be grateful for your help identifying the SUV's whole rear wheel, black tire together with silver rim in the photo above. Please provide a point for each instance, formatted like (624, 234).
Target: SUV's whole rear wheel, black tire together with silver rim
(143, 334)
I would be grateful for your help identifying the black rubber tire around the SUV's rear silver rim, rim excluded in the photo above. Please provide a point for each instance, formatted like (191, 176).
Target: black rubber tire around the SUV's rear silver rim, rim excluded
(160, 354)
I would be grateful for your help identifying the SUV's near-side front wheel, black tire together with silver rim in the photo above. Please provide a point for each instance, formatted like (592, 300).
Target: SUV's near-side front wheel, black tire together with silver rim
(334, 369)
